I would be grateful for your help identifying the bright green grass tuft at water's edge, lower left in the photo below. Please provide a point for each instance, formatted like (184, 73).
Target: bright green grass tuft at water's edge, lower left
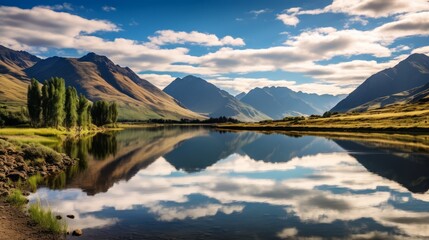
(46, 219)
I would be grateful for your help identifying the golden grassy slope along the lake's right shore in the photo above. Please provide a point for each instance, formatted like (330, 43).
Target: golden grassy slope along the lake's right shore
(400, 117)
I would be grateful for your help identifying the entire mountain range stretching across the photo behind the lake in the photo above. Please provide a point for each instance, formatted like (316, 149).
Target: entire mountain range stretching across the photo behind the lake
(98, 78)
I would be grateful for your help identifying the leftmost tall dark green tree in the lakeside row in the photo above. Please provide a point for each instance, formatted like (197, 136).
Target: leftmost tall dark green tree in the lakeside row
(34, 103)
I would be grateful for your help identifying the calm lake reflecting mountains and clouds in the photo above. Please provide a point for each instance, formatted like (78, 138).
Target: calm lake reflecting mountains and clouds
(198, 183)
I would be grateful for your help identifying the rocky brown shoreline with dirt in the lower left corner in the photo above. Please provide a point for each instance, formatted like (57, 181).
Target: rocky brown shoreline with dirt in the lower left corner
(22, 167)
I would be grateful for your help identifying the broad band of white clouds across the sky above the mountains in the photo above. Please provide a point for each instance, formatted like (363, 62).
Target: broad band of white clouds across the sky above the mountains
(302, 53)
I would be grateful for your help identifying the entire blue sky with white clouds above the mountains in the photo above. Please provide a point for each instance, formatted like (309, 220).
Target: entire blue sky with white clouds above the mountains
(323, 46)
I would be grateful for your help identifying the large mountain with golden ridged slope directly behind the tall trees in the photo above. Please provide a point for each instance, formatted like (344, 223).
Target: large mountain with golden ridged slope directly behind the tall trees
(98, 78)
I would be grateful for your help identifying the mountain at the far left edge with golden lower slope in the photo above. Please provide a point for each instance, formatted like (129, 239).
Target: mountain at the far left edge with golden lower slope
(13, 80)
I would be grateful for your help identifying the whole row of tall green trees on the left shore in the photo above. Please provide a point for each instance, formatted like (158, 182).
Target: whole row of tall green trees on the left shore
(54, 105)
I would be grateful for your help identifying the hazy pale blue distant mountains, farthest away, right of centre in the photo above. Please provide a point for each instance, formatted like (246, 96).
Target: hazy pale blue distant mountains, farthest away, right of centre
(278, 102)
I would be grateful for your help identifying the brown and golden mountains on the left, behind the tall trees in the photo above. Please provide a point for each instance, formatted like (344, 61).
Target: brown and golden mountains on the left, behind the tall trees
(97, 77)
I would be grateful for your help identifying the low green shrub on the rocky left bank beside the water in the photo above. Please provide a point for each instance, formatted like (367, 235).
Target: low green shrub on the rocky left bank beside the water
(34, 151)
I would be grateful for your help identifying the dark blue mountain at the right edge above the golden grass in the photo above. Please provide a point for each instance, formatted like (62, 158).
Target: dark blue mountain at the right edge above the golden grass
(404, 83)
